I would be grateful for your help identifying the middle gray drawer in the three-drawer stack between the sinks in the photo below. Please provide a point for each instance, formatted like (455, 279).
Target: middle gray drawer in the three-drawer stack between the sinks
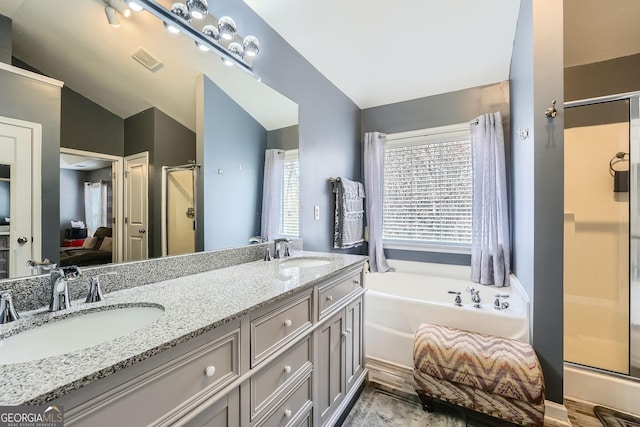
(271, 381)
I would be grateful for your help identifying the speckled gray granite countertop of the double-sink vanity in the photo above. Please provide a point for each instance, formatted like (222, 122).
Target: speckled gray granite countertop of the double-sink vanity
(193, 305)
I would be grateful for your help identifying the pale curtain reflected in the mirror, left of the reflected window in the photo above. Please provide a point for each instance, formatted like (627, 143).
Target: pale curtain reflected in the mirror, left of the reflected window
(272, 194)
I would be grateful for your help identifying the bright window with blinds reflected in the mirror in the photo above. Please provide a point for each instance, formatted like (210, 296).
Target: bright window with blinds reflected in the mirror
(289, 221)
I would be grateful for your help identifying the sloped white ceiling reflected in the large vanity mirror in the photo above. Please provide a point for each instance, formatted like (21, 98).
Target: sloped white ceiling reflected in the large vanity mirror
(71, 41)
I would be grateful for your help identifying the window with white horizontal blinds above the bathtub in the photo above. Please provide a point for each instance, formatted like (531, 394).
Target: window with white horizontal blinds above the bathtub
(428, 189)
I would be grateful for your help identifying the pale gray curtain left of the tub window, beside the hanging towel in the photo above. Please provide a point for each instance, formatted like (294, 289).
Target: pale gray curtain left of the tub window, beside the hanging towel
(374, 189)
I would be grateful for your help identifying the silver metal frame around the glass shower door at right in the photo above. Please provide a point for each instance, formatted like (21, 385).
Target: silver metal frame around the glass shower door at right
(634, 216)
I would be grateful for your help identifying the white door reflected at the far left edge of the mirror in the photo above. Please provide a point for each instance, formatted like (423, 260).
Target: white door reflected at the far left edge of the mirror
(20, 150)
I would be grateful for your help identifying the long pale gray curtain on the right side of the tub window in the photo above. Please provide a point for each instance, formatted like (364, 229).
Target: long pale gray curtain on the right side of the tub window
(490, 253)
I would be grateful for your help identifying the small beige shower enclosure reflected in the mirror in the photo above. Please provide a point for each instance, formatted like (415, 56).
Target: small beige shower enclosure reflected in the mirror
(179, 209)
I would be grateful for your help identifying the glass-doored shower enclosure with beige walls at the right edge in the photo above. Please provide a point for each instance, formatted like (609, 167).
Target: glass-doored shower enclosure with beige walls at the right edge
(602, 234)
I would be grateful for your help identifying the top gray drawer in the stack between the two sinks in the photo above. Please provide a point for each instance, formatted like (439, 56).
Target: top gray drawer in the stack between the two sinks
(270, 331)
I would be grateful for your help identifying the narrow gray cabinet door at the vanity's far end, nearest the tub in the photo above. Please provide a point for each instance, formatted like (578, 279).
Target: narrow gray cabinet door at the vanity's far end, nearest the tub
(353, 348)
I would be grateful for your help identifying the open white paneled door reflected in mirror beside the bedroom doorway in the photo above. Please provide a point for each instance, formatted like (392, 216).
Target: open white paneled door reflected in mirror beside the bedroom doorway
(136, 198)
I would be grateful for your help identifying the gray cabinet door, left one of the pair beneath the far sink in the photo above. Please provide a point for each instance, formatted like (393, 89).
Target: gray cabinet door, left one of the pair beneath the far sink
(330, 364)
